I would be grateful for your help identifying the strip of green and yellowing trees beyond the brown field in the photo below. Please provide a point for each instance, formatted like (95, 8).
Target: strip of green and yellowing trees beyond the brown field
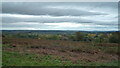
(112, 37)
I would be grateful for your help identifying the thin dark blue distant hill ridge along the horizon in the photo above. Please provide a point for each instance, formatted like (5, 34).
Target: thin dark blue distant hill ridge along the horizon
(53, 31)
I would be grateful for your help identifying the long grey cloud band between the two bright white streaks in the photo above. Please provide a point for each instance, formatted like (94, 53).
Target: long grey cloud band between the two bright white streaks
(55, 20)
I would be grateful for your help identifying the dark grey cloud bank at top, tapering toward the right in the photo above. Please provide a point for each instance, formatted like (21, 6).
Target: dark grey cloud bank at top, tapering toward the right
(41, 9)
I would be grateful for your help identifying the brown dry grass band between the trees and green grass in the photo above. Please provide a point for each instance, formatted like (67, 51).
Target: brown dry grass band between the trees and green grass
(72, 50)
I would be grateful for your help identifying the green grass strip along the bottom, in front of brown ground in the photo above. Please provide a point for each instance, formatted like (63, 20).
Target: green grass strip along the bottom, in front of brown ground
(28, 59)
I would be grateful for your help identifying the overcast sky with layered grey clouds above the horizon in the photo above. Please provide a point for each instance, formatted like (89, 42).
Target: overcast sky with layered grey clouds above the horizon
(83, 16)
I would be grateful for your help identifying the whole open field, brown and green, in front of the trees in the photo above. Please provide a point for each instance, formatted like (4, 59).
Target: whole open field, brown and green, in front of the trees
(35, 52)
